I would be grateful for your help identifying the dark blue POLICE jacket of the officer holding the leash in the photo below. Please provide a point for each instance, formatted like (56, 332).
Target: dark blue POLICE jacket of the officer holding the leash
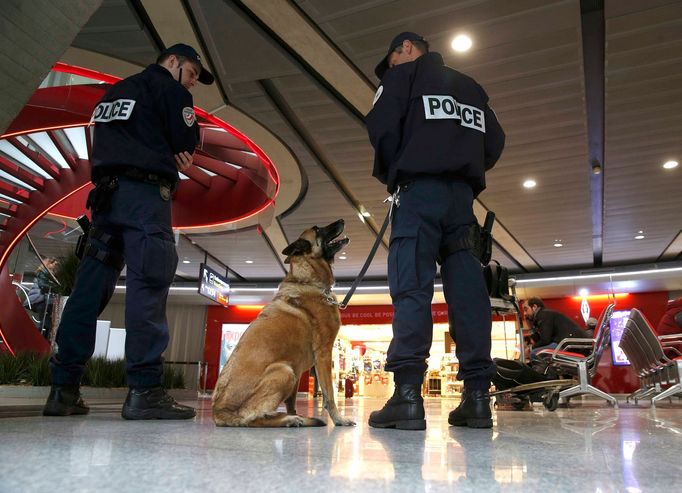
(430, 119)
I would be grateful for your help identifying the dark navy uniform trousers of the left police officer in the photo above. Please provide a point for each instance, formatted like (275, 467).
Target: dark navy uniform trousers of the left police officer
(141, 220)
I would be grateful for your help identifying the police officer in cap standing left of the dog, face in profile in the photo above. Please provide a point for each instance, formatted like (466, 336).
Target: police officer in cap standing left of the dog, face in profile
(145, 132)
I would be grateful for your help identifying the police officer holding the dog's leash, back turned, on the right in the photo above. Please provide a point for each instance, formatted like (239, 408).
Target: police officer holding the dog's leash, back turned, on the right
(434, 137)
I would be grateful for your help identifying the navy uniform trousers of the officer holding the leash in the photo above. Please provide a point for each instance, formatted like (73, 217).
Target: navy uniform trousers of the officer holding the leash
(431, 212)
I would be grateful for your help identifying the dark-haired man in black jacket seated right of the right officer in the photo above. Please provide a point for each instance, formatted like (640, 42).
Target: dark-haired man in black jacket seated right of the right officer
(550, 327)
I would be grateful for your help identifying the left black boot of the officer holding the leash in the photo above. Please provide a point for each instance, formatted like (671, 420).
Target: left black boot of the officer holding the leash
(403, 411)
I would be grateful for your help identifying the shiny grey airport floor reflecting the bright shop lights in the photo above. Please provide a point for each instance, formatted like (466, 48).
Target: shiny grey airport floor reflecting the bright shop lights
(588, 447)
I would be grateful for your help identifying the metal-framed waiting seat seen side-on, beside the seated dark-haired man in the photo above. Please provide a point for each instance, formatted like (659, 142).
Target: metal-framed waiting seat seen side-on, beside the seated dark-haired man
(580, 357)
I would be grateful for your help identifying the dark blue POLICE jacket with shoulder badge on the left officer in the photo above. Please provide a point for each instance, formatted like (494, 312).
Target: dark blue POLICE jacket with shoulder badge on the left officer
(143, 121)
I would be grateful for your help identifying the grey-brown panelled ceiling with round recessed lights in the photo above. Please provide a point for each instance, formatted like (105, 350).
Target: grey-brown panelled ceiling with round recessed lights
(304, 71)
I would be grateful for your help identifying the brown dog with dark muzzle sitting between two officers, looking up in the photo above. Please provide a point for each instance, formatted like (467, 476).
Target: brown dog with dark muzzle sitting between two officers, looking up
(294, 332)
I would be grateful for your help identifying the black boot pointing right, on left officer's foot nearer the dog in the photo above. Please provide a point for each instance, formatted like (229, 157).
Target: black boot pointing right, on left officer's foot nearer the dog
(154, 403)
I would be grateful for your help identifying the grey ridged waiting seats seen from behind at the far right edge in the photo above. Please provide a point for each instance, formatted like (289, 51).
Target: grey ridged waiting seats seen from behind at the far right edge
(660, 376)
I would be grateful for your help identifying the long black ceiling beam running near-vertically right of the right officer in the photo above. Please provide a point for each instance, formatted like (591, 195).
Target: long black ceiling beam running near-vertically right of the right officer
(594, 40)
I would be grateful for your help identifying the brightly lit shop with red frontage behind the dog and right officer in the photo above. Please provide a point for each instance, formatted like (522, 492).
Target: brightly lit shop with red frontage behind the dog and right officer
(359, 353)
